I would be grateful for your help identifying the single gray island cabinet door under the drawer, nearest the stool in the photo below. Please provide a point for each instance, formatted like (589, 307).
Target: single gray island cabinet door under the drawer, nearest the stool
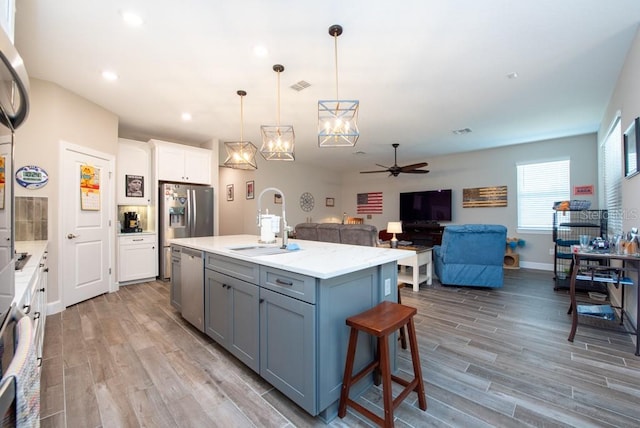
(288, 347)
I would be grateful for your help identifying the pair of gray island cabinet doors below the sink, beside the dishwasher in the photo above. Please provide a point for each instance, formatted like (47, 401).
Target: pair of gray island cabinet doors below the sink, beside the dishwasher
(232, 316)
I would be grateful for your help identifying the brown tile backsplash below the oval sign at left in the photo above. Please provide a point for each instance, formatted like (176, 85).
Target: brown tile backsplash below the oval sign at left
(32, 216)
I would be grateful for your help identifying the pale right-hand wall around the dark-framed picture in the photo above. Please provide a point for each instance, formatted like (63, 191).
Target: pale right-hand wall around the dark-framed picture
(626, 100)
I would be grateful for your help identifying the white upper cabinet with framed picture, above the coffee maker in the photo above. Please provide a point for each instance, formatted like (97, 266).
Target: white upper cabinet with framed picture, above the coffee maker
(134, 173)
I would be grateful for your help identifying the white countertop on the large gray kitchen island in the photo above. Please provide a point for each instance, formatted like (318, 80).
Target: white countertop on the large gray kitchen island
(318, 259)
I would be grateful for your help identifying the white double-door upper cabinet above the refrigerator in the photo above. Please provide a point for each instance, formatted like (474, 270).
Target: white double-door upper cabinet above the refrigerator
(183, 164)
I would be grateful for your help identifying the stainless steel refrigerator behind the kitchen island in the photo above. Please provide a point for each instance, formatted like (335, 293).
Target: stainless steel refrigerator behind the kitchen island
(186, 211)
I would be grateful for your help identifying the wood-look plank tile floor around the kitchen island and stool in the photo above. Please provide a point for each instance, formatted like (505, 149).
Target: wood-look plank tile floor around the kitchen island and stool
(489, 358)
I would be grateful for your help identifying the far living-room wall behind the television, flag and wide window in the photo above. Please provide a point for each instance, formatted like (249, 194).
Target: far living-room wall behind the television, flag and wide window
(494, 167)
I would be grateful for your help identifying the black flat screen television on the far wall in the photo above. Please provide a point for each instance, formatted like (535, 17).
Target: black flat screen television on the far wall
(428, 206)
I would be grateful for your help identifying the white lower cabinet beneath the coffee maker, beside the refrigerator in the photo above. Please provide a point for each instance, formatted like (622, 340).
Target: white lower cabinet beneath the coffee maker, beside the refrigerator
(137, 258)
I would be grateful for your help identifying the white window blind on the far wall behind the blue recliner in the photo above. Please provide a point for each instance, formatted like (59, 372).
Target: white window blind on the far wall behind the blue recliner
(539, 186)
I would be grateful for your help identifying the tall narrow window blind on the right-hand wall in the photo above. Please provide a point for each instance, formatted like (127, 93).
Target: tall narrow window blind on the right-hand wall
(611, 173)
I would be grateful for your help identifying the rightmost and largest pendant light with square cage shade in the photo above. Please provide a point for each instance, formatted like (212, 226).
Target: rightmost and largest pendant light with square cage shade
(337, 119)
